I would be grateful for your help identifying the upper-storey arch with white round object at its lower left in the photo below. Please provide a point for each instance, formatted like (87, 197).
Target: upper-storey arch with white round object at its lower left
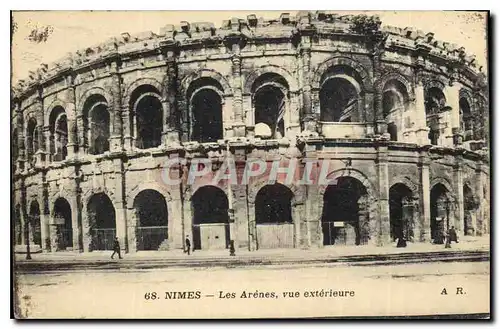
(270, 93)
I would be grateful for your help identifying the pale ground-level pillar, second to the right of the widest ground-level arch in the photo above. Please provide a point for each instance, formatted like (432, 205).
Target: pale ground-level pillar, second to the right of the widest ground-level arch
(424, 198)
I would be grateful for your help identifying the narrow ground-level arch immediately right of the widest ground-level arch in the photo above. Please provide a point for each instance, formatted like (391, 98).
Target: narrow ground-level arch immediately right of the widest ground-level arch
(401, 208)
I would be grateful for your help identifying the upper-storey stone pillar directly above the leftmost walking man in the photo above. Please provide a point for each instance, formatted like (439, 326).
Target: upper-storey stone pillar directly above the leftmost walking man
(115, 141)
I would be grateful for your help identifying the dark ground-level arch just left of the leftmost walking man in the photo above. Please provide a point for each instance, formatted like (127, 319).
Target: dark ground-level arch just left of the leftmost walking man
(102, 222)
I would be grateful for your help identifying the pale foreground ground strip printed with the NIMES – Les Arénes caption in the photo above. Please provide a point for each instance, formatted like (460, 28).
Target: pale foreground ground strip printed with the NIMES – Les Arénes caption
(410, 289)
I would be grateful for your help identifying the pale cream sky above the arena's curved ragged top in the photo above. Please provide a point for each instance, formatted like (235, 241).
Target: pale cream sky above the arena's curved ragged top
(74, 30)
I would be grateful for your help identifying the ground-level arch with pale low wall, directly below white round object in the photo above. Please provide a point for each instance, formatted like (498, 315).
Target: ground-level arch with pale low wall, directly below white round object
(273, 217)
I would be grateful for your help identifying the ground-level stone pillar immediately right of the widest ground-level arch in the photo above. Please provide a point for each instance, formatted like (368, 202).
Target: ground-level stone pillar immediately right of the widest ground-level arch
(384, 235)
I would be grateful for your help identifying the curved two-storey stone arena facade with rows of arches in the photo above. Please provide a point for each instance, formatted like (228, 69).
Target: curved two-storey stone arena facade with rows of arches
(404, 136)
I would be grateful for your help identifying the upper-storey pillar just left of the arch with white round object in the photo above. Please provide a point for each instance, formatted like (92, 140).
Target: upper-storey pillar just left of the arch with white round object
(238, 123)
